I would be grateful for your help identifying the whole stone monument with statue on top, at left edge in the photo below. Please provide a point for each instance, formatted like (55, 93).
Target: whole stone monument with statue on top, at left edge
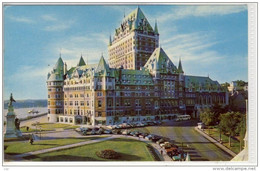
(12, 123)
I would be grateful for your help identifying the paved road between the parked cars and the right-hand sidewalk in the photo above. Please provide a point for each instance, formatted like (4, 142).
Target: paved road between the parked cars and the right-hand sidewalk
(199, 148)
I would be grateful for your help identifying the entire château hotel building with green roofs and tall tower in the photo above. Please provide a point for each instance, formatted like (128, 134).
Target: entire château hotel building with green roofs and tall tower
(139, 83)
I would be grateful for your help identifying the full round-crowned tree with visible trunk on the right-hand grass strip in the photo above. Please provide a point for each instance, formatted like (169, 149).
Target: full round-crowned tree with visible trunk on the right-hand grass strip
(229, 122)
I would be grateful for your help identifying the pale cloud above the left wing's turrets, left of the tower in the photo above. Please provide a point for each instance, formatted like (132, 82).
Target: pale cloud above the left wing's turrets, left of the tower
(91, 46)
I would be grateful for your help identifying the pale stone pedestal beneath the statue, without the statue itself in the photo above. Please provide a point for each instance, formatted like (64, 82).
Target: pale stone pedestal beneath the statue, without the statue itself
(11, 131)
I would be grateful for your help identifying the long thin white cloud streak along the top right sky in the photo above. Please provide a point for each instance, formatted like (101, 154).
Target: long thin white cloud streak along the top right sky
(178, 13)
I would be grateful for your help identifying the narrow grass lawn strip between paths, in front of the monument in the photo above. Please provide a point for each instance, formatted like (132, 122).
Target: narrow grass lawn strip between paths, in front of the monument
(14, 148)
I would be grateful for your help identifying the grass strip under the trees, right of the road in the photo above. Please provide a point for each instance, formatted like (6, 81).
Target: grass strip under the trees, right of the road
(235, 144)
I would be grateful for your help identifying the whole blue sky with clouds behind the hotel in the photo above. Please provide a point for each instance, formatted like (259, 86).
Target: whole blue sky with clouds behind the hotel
(210, 40)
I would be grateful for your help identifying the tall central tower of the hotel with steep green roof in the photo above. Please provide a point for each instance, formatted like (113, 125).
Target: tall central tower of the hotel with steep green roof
(133, 43)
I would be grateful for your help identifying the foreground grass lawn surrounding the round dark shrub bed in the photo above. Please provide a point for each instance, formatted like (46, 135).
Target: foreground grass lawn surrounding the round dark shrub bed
(129, 150)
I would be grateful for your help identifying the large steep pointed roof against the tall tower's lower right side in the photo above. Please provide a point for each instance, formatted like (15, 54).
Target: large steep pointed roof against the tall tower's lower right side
(159, 61)
